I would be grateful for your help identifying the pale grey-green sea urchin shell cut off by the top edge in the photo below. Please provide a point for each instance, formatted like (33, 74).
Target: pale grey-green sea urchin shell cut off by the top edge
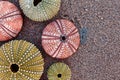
(44, 10)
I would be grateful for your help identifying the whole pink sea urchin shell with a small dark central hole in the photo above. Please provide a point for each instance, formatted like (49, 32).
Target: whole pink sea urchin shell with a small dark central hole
(60, 39)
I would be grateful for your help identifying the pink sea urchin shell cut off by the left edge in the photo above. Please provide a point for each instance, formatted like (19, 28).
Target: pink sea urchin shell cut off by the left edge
(10, 20)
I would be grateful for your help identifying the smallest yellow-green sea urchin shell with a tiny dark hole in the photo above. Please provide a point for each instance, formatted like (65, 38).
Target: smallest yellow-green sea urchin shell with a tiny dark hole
(59, 71)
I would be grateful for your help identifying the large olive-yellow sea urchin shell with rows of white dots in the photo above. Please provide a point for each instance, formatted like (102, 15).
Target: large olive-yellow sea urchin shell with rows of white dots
(26, 56)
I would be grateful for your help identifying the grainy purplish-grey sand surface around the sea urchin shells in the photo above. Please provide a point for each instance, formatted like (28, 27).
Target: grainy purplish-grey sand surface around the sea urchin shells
(99, 57)
